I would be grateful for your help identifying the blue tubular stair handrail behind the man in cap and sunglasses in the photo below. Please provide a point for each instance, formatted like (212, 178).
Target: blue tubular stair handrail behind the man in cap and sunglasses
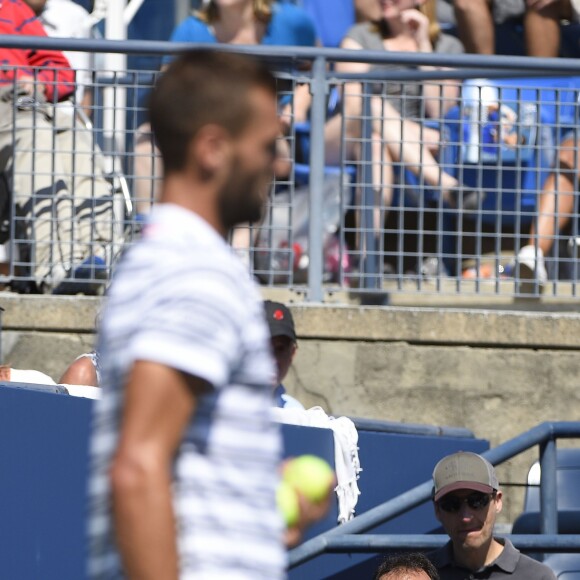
(350, 536)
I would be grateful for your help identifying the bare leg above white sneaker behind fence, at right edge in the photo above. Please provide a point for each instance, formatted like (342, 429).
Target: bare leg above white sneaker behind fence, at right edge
(557, 198)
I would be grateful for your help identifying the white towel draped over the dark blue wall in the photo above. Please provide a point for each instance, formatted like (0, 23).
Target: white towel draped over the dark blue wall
(346, 458)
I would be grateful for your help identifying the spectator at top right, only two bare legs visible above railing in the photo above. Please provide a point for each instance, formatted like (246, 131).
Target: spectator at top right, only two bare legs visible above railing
(476, 18)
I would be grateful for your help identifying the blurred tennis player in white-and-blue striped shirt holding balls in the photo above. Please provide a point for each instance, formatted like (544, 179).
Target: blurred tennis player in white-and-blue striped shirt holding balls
(184, 454)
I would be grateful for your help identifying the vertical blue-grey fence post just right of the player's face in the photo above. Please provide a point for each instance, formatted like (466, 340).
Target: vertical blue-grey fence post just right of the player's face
(318, 89)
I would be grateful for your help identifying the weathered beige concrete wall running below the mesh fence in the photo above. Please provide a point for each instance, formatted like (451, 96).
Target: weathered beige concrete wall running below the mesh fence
(496, 373)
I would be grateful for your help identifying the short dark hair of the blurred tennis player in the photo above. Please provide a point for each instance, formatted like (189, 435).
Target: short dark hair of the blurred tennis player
(202, 87)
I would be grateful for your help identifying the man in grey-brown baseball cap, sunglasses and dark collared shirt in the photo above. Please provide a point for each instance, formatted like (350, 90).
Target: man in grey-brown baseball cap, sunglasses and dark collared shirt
(467, 499)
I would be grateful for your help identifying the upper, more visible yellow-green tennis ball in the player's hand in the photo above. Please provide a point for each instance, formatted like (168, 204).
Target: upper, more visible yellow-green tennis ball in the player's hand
(310, 475)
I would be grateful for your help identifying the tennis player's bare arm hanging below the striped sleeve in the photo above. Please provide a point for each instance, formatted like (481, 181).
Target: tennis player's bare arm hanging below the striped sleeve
(159, 402)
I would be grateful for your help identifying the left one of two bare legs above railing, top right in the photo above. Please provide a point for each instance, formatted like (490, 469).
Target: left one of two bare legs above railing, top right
(475, 25)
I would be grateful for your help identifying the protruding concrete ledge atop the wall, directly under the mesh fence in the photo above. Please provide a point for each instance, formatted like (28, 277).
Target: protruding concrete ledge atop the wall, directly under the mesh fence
(434, 326)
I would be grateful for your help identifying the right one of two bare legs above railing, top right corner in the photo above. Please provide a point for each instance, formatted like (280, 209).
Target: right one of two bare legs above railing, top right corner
(542, 31)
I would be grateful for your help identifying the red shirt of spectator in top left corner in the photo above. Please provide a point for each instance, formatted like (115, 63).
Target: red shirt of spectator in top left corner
(49, 67)
